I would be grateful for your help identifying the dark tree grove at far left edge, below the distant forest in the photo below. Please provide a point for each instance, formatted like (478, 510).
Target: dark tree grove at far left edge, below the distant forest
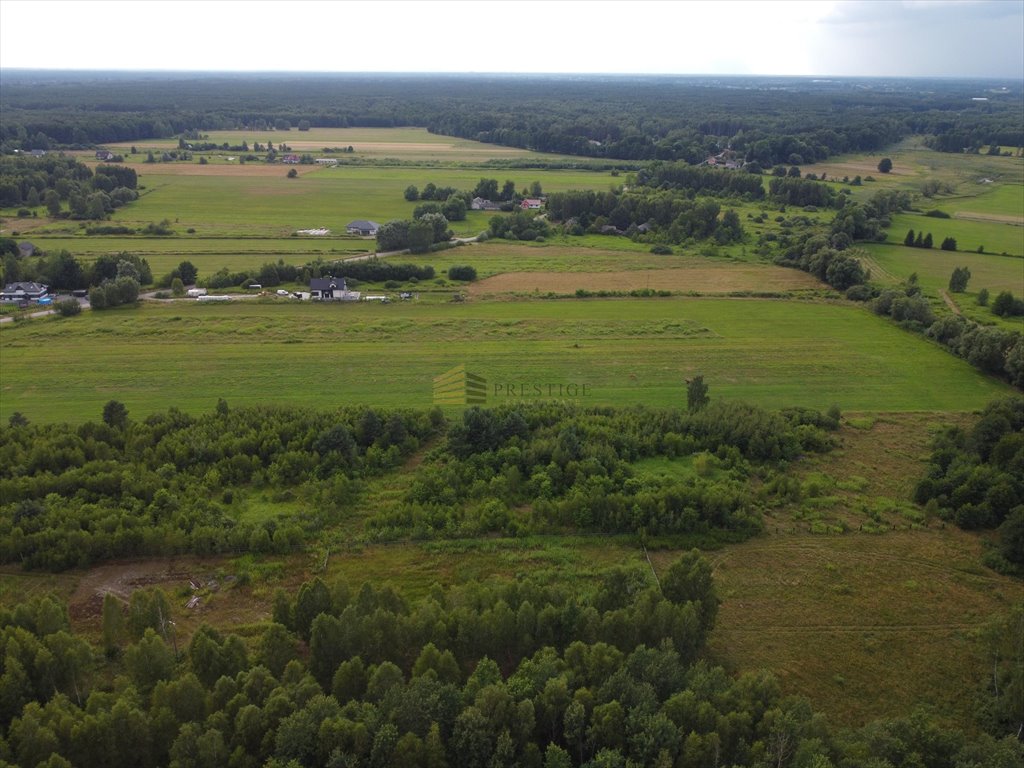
(59, 182)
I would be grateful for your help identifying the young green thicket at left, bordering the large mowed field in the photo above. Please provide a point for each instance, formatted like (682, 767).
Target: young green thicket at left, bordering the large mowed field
(73, 496)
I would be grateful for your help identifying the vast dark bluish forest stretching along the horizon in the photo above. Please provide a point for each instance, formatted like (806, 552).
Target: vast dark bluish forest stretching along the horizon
(766, 120)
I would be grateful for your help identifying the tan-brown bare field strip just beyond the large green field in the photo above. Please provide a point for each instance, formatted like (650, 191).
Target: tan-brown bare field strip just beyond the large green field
(718, 279)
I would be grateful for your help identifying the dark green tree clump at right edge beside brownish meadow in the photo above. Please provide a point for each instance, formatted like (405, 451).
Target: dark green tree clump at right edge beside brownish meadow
(976, 477)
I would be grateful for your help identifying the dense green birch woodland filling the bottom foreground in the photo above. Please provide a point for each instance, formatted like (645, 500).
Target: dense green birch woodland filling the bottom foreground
(484, 676)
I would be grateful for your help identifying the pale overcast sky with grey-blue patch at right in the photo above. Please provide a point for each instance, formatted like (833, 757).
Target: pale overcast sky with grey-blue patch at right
(913, 38)
